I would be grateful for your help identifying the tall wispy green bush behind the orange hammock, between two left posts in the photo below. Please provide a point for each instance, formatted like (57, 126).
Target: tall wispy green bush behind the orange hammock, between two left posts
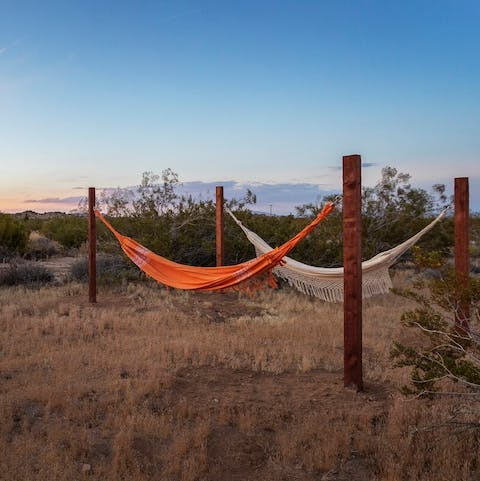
(179, 228)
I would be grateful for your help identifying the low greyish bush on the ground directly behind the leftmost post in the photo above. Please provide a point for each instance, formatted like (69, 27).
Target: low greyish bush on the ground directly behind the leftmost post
(111, 269)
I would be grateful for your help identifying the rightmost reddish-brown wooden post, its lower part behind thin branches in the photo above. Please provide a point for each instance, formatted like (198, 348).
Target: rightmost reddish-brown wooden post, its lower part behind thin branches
(462, 258)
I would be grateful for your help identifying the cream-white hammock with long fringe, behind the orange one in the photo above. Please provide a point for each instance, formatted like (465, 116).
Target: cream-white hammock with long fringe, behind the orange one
(327, 283)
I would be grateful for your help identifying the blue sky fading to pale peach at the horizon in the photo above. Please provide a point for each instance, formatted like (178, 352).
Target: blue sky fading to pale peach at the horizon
(264, 92)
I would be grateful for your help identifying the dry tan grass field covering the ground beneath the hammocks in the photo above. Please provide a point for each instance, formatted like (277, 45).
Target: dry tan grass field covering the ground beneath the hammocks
(166, 385)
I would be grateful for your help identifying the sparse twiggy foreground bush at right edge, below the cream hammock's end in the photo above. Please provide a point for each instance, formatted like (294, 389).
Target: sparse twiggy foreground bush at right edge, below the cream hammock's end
(448, 349)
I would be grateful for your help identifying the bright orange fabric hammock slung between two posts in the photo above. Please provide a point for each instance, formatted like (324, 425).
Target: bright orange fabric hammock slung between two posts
(181, 276)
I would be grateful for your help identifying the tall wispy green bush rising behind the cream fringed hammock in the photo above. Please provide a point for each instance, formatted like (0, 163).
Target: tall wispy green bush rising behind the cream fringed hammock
(392, 211)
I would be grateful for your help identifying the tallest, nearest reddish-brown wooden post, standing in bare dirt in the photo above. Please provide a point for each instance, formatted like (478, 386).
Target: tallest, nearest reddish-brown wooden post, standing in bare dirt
(352, 264)
